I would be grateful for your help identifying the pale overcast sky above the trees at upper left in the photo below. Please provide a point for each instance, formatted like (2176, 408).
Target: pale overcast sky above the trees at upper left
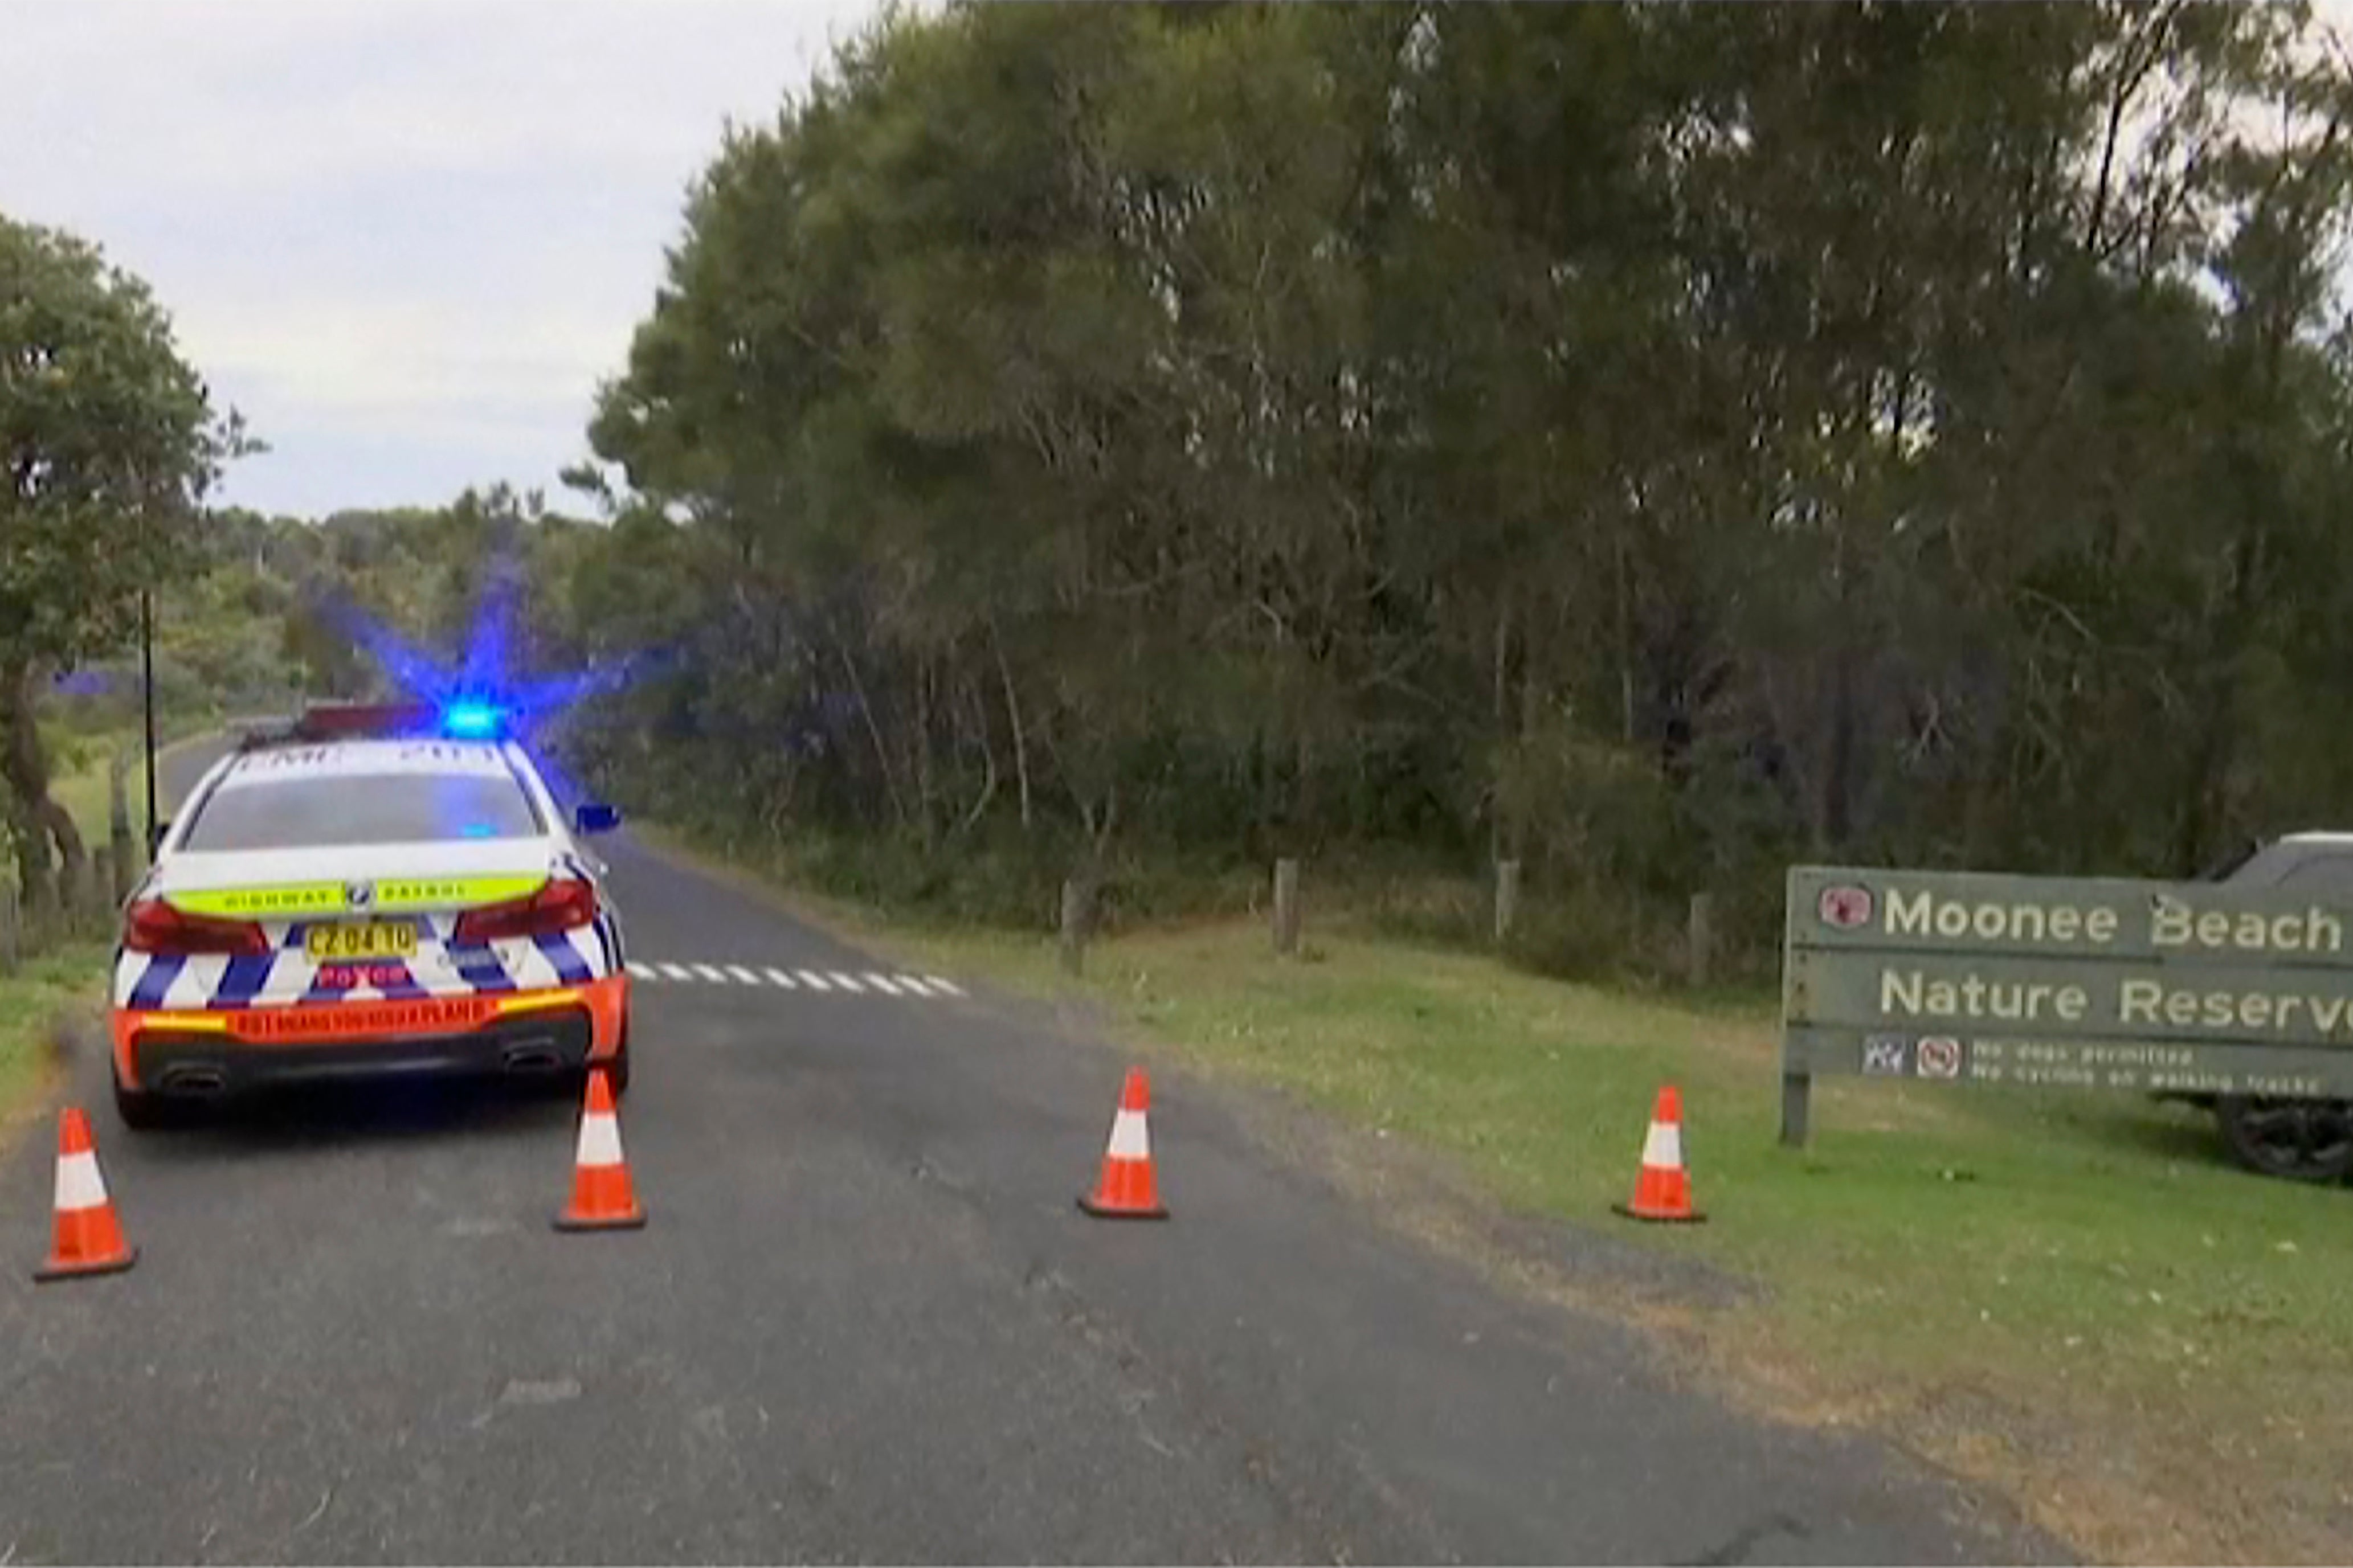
(404, 239)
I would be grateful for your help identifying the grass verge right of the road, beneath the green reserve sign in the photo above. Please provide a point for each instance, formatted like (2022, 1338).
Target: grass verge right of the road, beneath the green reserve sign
(2074, 1301)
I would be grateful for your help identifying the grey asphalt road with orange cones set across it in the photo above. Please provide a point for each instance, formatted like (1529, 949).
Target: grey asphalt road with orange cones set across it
(865, 1325)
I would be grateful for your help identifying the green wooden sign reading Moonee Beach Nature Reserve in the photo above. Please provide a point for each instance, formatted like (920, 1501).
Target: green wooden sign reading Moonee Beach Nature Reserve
(2062, 984)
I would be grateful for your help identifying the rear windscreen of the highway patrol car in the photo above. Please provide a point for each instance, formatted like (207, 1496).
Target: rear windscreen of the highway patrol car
(342, 810)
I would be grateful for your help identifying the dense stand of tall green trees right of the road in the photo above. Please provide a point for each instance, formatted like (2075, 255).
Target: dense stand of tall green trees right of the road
(1655, 441)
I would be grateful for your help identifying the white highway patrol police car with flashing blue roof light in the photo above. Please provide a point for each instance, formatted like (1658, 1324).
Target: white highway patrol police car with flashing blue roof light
(368, 892)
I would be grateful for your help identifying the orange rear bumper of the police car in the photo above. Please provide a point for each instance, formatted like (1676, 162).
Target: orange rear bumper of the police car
(521, 1033)
